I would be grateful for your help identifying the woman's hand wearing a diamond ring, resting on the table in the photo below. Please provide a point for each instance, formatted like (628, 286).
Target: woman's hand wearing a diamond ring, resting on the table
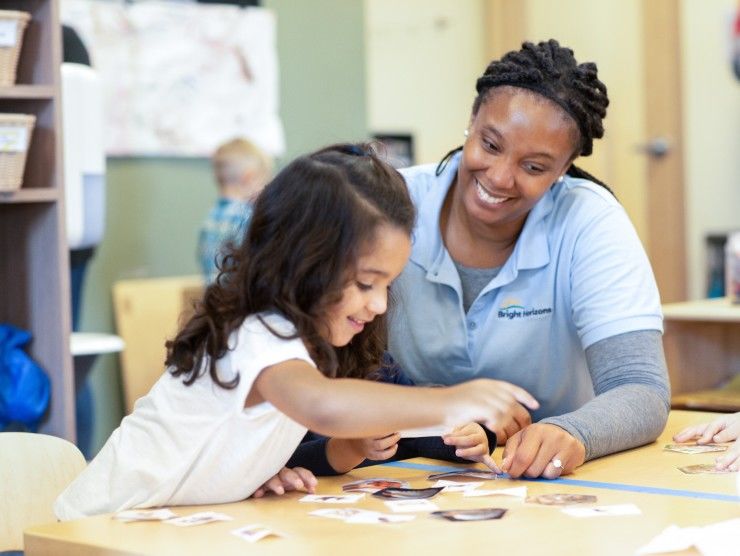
(536, 451)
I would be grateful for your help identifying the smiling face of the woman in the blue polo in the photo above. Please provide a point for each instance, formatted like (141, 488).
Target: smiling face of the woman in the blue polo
(518, 144)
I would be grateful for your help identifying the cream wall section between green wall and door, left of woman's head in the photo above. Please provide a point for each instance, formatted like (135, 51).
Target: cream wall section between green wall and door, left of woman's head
(423, 57)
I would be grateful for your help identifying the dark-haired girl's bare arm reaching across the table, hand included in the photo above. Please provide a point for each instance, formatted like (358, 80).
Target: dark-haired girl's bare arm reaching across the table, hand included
(351, 408)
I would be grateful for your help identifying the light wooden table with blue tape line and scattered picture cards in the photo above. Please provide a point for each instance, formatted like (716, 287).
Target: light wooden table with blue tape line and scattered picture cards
(647, 477)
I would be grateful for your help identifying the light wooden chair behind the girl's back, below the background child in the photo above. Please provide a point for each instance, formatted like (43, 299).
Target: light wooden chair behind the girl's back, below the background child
(148, 312)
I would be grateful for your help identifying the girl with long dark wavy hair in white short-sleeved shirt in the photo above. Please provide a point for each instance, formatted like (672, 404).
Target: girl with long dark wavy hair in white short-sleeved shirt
(276, 348)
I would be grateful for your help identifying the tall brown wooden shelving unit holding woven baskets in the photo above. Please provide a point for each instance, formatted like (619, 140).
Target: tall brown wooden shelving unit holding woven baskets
(34, 260)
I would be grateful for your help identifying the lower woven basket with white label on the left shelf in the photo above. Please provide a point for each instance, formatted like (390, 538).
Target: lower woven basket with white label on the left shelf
(15, 138)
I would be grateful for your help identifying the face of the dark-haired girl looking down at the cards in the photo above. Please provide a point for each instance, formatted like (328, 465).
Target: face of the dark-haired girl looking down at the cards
(367, 295)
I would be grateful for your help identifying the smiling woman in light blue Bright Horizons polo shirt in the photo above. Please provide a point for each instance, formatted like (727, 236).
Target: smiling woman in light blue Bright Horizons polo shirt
(526, 269)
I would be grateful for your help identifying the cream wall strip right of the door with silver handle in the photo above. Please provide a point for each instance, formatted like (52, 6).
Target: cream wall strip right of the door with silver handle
(711, 129)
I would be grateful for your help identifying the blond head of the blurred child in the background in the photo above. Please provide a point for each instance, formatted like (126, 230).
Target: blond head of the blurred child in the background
(242, 169)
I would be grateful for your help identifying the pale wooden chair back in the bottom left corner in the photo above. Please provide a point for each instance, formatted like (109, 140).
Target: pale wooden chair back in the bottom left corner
(34, 470)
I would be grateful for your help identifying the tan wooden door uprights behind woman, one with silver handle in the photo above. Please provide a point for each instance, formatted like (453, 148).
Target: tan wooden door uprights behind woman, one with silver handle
(666, 221)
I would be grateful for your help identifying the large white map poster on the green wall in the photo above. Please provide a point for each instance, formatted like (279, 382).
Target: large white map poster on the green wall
(181, 78)
